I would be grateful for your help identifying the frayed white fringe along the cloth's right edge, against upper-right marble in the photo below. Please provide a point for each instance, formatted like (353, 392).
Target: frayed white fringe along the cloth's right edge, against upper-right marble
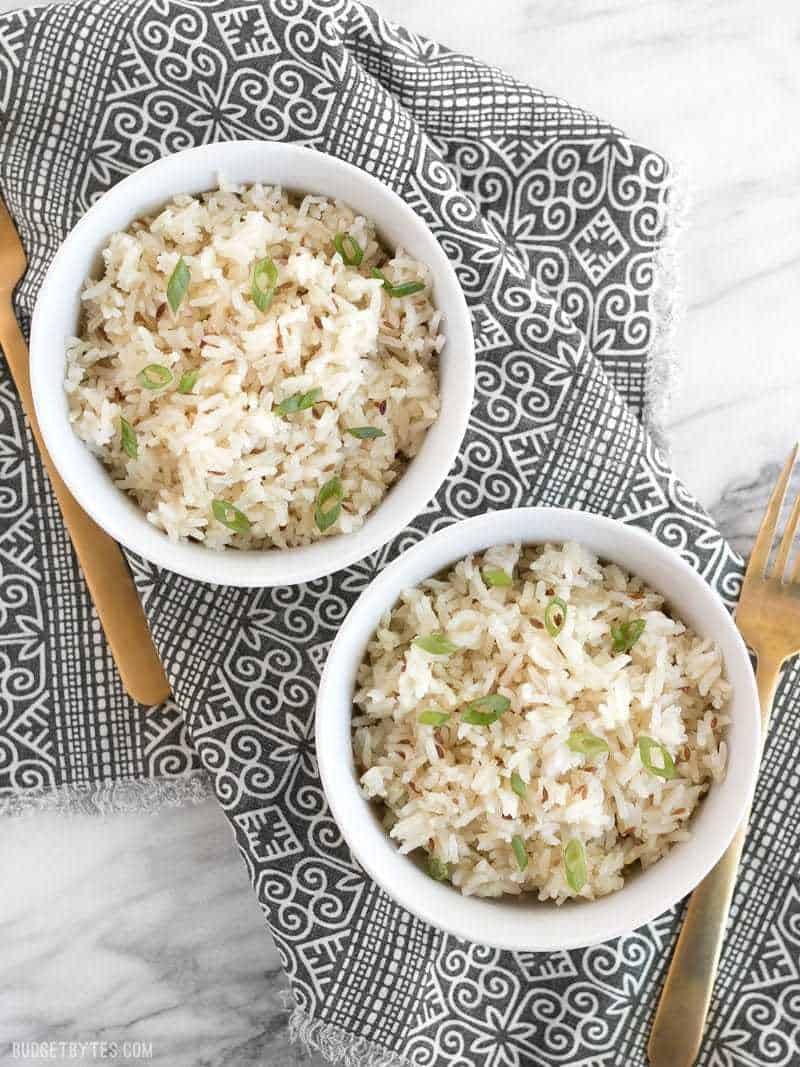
(664, 370)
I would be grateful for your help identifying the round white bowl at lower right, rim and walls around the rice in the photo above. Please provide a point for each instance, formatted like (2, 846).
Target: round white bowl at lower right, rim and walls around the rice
(523, 922)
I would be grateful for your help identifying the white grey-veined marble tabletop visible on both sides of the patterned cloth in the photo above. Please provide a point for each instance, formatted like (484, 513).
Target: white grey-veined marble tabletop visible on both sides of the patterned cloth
(146, 928)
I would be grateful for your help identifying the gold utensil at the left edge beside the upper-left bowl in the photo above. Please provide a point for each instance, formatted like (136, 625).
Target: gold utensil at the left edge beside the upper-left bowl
(104, 565)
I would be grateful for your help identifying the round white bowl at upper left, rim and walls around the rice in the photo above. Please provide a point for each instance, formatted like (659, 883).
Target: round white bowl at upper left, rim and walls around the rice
(56, 318)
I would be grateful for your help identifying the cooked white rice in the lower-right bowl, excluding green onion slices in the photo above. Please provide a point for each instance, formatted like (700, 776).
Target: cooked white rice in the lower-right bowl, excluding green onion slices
(447, 790)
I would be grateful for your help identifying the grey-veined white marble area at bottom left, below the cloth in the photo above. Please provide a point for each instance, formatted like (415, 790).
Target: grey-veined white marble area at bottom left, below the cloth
(138, 929)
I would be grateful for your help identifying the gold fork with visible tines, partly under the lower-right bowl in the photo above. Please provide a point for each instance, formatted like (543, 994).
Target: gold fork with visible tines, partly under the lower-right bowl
(769, 616)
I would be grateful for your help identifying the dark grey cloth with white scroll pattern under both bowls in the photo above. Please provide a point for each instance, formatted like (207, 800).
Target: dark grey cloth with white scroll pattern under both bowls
(556, 225)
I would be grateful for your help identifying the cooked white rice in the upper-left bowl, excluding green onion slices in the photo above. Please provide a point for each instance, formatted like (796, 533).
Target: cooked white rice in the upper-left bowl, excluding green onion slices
(330, 327)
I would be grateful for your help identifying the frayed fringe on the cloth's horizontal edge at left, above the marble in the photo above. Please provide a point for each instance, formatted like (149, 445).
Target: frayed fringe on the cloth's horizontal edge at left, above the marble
(124, 797)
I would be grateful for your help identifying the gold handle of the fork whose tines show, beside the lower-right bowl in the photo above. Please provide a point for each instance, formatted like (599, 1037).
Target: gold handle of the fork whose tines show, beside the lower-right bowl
(680, 1021)
